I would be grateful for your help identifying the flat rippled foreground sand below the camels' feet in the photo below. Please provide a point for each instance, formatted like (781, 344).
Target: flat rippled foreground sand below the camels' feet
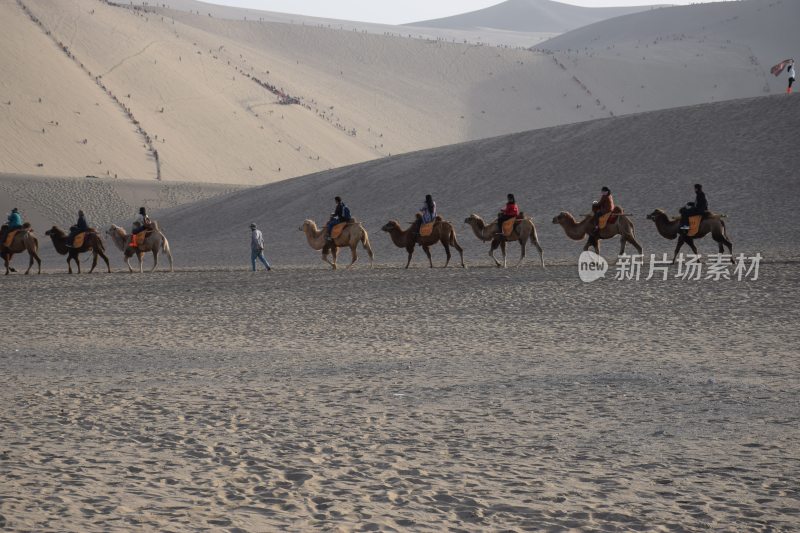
(379, 400)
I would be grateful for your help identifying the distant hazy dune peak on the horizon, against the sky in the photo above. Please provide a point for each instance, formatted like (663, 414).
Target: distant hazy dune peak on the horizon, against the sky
(531, 16)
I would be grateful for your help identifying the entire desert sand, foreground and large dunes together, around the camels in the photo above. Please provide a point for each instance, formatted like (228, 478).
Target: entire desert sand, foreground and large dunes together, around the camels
(384, 399)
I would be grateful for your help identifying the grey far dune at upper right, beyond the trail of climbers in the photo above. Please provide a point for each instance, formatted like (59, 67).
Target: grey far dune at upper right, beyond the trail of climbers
(710, 51)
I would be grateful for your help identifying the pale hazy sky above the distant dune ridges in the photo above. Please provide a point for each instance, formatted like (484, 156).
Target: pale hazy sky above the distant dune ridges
(401, 11)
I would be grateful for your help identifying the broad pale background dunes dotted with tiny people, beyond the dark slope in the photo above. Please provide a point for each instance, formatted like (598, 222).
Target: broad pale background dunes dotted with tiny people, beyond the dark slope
(207, 91)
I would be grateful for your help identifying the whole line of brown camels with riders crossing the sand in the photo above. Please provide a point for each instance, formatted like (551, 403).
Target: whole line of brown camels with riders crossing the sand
(606, 221)
